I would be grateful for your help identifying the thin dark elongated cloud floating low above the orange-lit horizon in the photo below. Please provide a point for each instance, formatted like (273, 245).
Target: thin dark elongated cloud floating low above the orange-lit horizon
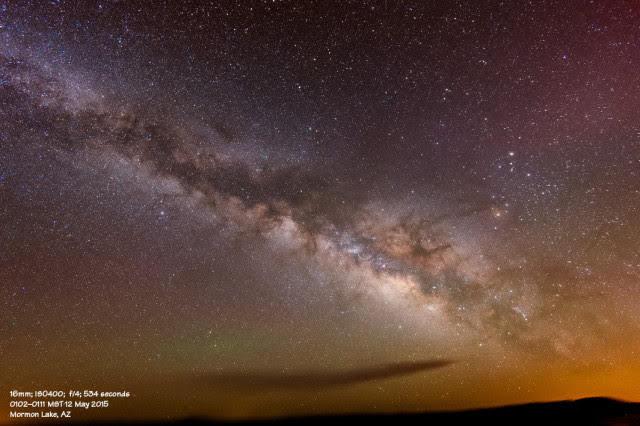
(318, 379)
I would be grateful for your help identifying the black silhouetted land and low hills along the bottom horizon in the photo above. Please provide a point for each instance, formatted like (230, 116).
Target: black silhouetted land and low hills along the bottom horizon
(589, 411)
